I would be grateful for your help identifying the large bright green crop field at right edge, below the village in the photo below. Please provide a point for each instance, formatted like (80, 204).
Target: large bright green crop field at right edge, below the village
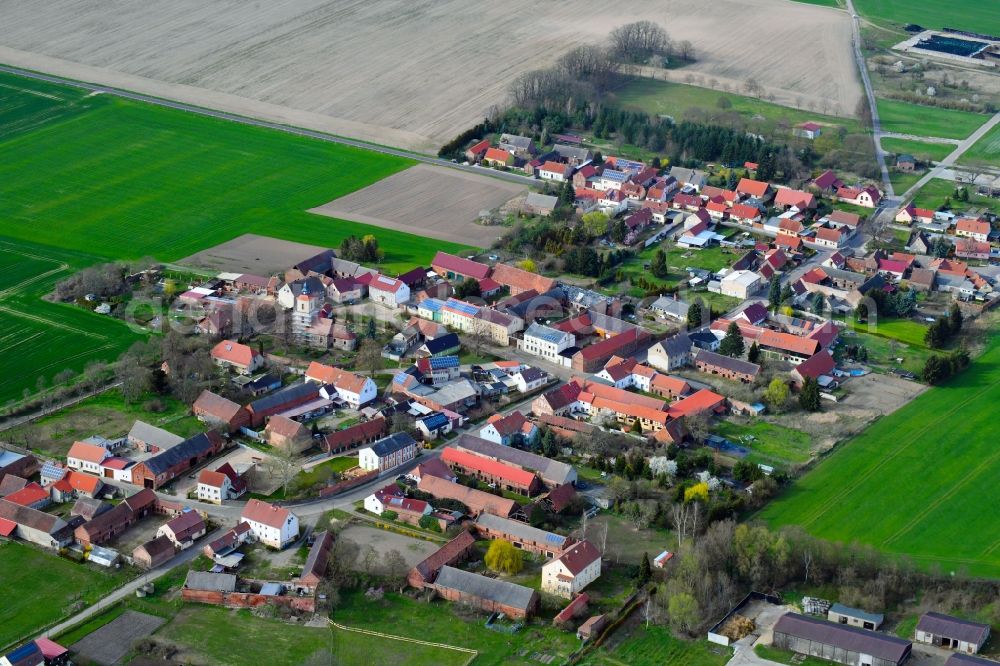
(919, 482)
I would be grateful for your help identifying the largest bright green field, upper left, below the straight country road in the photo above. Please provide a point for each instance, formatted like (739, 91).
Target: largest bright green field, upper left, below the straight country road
(91, 175)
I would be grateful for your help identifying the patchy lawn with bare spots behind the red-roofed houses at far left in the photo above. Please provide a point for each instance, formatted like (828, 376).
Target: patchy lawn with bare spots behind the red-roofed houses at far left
(106, 415)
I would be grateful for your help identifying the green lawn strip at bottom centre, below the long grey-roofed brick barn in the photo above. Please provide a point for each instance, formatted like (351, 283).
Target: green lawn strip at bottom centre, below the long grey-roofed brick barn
(438, 622)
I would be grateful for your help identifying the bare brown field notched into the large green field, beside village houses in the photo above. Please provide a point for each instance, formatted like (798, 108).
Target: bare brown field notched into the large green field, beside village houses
(414, 199)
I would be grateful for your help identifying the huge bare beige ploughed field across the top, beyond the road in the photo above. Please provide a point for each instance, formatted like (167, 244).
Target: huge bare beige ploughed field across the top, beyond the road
(407, 74)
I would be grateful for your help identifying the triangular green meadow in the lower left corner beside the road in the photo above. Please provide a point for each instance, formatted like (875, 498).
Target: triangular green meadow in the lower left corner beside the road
(41, 588)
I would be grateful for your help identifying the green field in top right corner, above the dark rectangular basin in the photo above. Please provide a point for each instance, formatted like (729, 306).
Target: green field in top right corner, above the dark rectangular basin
(973, 15)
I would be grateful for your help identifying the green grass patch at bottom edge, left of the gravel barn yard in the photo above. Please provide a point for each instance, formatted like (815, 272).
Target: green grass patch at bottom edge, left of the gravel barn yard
(656, 645)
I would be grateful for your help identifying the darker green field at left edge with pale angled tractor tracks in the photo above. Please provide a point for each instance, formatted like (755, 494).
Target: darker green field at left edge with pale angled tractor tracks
(40, 338)
